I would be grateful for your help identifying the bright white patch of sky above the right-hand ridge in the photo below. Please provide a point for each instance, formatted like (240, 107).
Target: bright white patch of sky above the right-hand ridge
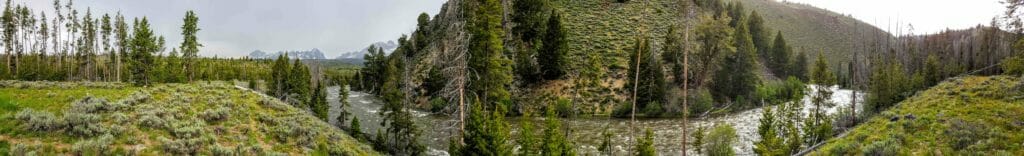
(926, 16)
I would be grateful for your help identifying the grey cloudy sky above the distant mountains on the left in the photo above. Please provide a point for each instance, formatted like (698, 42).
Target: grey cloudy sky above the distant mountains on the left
(235, 28)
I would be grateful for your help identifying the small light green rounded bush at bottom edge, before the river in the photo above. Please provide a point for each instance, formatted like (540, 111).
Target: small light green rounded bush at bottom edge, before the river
(720, 141)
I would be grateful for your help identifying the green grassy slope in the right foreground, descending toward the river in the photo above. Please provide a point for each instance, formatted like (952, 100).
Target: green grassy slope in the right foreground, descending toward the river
(979, 114)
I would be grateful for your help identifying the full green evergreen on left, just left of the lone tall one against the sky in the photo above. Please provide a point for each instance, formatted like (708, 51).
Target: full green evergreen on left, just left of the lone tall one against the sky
(144, 45)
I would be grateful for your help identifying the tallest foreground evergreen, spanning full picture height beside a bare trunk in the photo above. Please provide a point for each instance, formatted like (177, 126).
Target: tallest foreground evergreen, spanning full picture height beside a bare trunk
(487, 133)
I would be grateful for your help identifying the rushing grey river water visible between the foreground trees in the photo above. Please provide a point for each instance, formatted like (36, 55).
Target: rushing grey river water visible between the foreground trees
(586, 132)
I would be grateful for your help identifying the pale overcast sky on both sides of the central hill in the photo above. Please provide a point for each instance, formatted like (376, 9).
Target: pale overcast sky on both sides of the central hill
(235, 28)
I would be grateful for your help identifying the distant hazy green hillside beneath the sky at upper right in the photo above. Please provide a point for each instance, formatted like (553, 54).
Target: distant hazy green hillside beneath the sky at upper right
(816, 29)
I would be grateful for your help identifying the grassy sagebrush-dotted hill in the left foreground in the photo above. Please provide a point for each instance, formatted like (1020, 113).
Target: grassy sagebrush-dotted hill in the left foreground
(206, 119)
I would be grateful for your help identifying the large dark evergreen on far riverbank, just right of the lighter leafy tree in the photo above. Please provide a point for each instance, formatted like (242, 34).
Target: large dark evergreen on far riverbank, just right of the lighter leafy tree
(737, 76)
